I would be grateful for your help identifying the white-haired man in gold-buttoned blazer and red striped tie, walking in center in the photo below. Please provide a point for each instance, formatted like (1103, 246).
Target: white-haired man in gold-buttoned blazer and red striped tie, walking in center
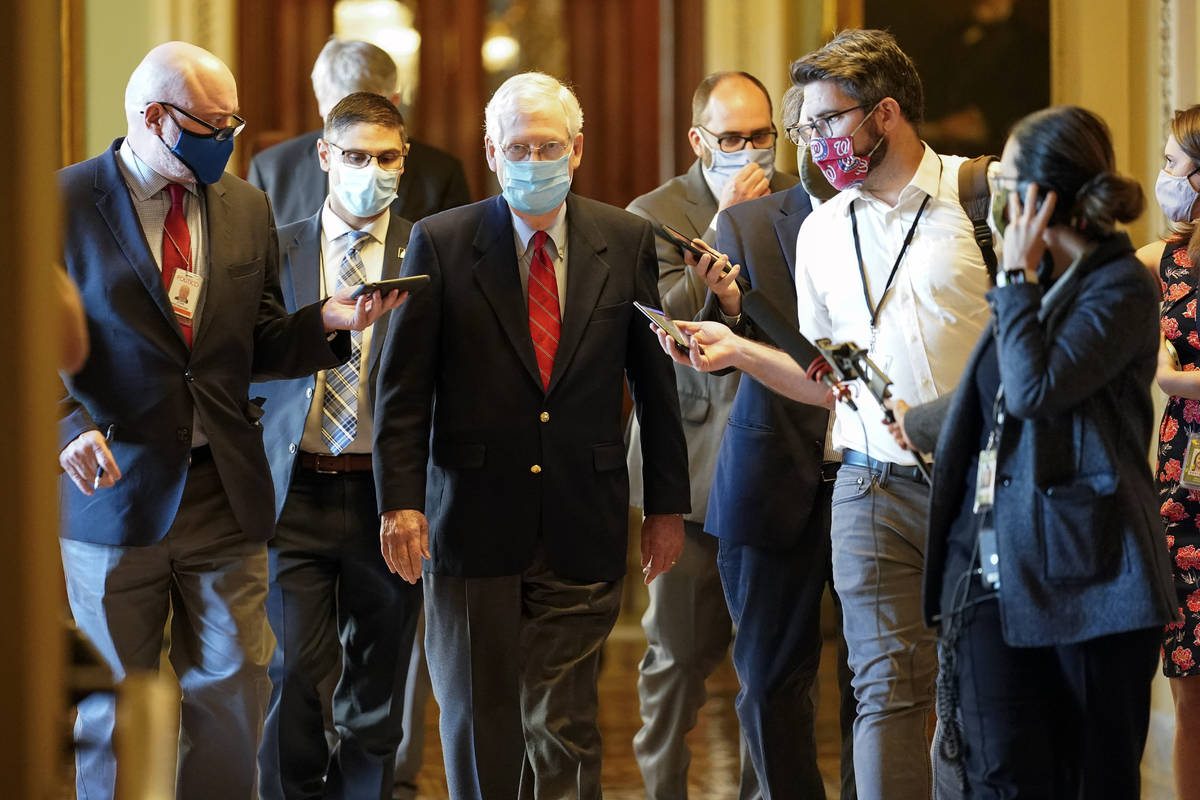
(514, 362)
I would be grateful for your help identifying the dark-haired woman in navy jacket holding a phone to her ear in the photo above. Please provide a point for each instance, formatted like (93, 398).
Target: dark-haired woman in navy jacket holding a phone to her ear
(1046, 567)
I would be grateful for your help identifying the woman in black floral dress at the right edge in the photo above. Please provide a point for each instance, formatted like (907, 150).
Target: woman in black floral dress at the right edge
(1173, 262)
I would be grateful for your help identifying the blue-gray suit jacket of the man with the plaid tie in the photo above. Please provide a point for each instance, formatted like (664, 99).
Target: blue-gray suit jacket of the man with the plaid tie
(289, 401)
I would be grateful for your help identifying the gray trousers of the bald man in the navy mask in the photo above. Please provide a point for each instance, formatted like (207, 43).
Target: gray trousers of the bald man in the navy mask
(213, 585)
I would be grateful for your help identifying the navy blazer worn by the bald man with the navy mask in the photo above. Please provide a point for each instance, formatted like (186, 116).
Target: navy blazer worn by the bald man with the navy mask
(141, 375)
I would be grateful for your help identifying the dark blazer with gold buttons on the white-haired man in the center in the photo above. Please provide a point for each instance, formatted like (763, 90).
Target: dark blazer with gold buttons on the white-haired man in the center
(459, 359)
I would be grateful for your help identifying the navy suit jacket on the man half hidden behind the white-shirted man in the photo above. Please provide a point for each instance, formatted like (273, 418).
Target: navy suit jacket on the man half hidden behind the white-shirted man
(769, 470)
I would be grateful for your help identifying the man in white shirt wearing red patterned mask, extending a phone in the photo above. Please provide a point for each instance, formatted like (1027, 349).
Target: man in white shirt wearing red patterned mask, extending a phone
(892, 266)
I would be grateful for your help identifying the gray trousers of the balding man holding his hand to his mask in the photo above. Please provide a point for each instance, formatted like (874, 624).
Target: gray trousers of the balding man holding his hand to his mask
(688, 630)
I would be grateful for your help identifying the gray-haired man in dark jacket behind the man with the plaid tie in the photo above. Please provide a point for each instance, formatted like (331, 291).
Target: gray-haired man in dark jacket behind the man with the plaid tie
(291, 175)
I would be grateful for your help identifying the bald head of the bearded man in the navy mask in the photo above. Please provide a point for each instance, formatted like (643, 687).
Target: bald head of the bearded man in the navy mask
(189, 79)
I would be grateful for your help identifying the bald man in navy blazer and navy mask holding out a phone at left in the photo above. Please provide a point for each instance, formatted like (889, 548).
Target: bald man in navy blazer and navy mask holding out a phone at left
(177, 522)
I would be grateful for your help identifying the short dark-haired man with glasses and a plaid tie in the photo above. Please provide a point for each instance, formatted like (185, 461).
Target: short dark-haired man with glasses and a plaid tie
(328, 582)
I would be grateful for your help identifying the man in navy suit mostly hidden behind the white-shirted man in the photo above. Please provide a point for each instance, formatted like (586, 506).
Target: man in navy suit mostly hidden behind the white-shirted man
(770, 508)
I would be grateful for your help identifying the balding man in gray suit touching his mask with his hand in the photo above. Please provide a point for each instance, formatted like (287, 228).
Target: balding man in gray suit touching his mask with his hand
(687, 625)
